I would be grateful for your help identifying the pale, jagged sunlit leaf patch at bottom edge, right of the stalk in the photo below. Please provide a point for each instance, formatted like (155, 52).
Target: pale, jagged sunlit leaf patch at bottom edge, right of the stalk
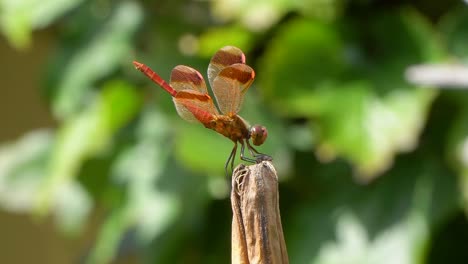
(401, 243)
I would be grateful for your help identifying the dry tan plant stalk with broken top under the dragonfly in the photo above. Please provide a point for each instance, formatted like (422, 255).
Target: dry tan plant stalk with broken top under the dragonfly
(257, 234)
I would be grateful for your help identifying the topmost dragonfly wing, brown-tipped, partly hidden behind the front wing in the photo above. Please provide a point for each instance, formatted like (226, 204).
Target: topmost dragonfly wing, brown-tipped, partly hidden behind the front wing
(224, 57)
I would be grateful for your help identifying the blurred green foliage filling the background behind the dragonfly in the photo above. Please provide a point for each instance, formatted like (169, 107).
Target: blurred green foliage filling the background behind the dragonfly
(373, 169)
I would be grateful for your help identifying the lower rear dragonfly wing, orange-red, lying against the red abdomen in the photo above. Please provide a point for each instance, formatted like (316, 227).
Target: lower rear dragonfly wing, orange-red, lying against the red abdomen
(195, 106)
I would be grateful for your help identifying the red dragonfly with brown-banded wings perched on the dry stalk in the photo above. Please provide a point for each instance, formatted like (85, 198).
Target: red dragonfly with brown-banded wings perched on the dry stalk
(229, 79)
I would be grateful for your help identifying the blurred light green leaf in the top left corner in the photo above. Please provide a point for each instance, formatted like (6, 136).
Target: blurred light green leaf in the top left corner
(18, 18)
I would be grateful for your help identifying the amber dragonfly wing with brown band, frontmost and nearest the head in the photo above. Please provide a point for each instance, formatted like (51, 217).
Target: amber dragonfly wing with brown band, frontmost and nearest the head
(230, 86)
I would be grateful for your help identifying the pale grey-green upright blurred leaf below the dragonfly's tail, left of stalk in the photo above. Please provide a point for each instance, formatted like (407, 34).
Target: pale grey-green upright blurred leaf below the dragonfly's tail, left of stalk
(140, 167)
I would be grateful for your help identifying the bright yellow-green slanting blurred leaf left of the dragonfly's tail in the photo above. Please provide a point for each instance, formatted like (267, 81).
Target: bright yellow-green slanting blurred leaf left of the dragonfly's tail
(86, 135)
